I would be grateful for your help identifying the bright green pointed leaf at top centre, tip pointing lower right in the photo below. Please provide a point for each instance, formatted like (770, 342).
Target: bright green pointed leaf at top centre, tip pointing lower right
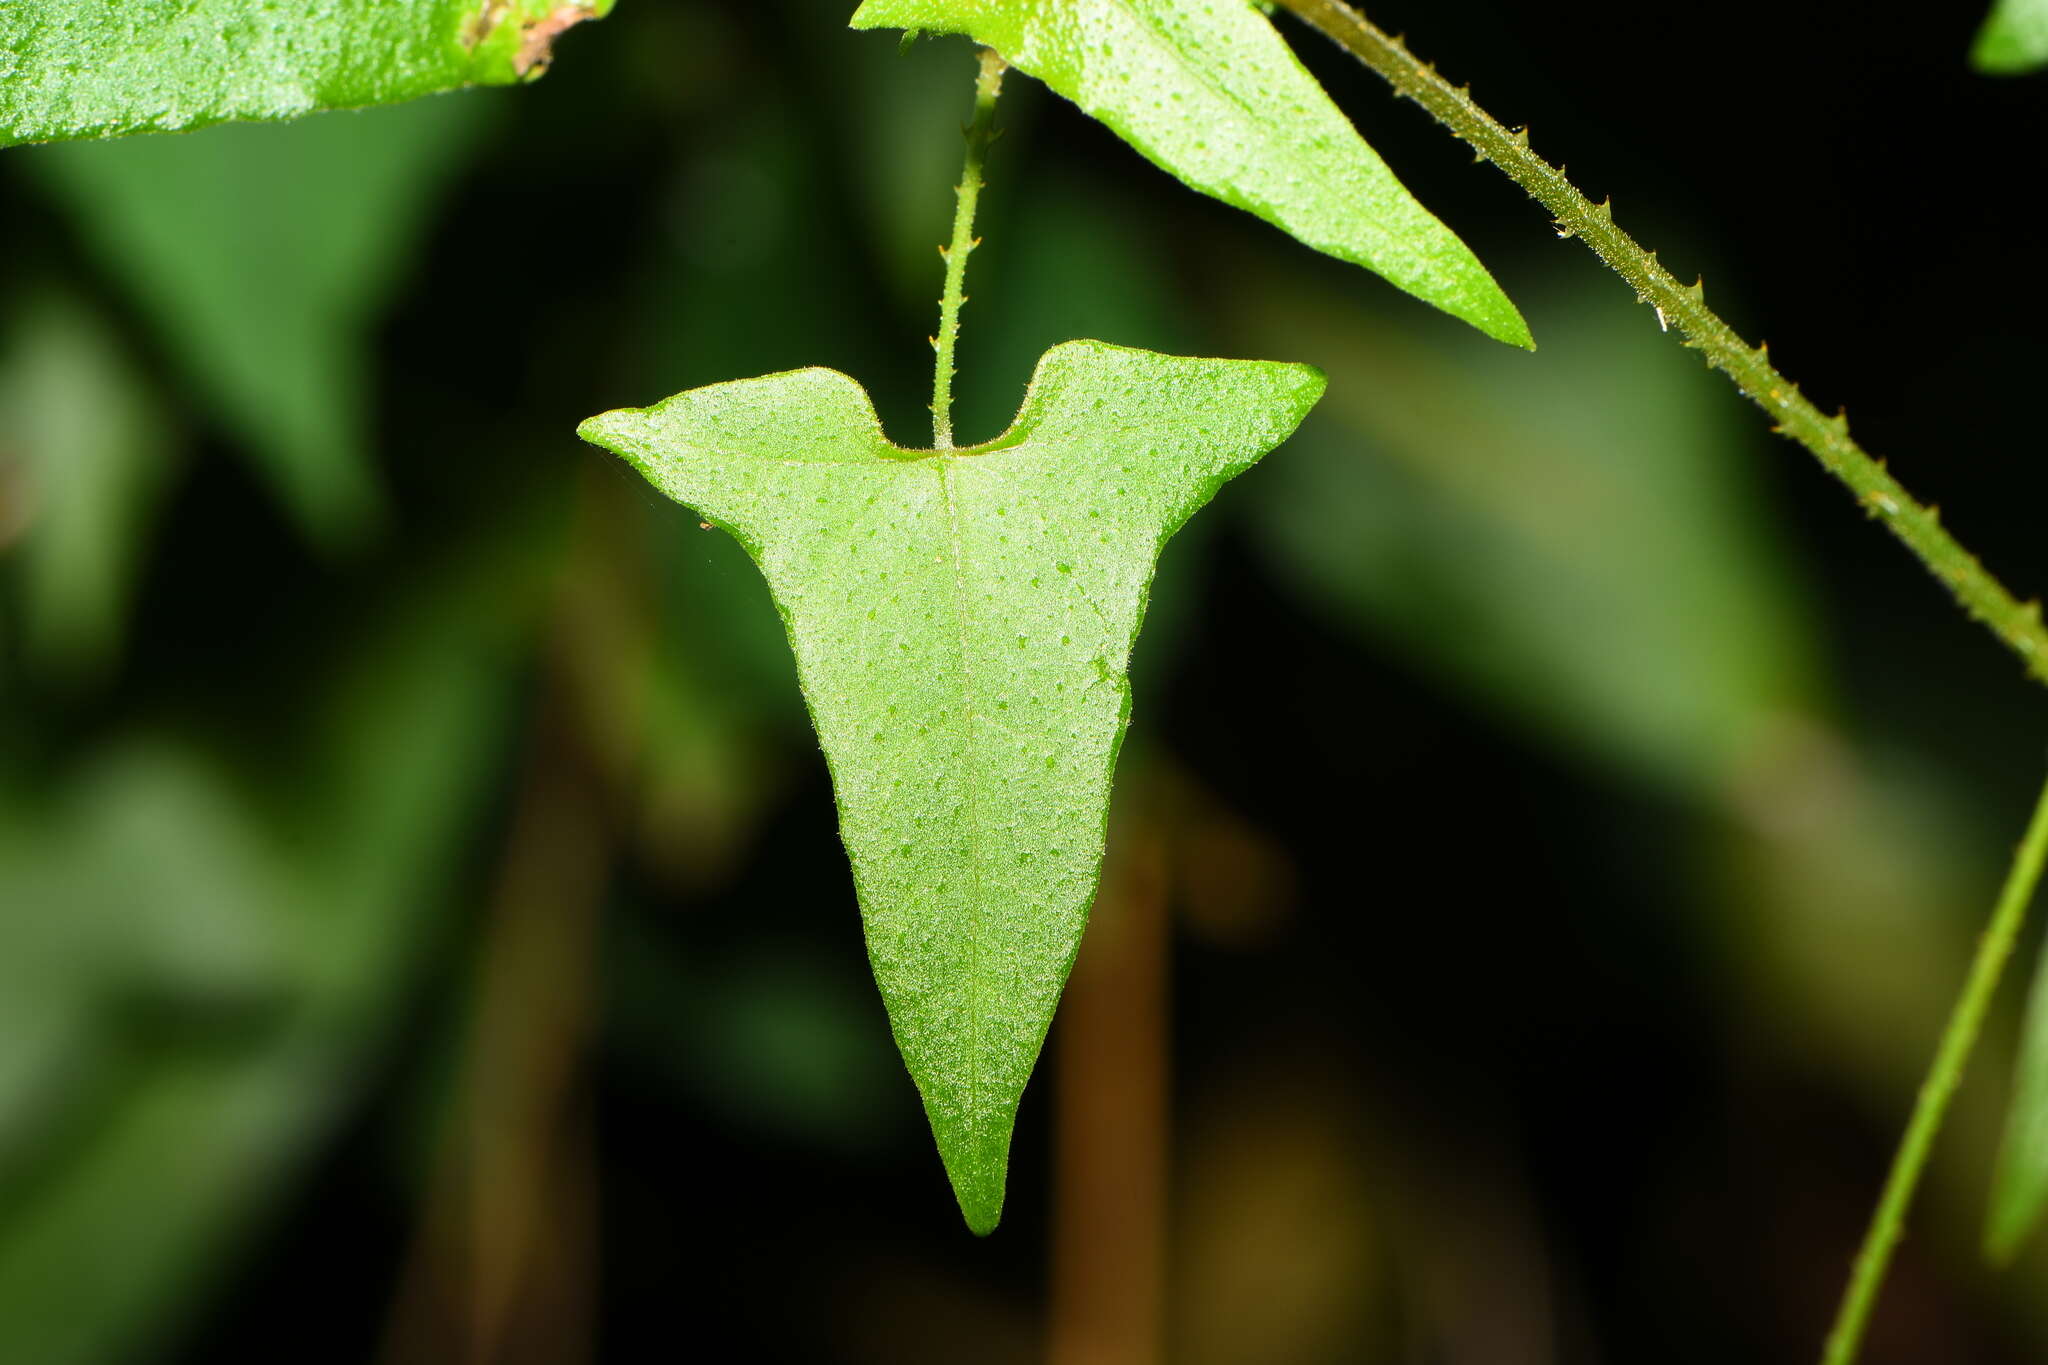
(1211, 93)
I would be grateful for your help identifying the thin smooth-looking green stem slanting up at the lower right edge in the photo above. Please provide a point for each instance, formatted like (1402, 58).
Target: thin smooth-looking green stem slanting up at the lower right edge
(1936, 1092)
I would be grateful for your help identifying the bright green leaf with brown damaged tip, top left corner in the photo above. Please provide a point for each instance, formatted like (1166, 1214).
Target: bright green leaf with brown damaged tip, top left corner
(99, 69)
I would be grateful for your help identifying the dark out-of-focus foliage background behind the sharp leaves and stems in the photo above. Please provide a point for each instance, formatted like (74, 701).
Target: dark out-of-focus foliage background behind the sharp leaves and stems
(1560, 816)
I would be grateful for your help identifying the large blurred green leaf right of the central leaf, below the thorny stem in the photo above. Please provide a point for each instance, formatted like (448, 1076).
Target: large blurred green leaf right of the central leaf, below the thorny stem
(1570, 537)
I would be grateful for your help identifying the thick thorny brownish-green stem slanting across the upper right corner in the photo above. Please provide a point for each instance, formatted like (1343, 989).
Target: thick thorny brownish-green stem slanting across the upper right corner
(1684, 308)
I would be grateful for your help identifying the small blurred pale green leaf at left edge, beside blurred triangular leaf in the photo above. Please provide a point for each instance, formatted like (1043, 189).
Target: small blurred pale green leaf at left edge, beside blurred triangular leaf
(91, 457)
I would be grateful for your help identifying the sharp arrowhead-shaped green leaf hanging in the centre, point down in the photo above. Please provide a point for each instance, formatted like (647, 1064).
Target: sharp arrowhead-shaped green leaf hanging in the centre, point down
(962, 623)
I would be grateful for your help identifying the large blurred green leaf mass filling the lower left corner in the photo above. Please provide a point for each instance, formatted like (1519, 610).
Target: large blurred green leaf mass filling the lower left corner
(198, 965)
